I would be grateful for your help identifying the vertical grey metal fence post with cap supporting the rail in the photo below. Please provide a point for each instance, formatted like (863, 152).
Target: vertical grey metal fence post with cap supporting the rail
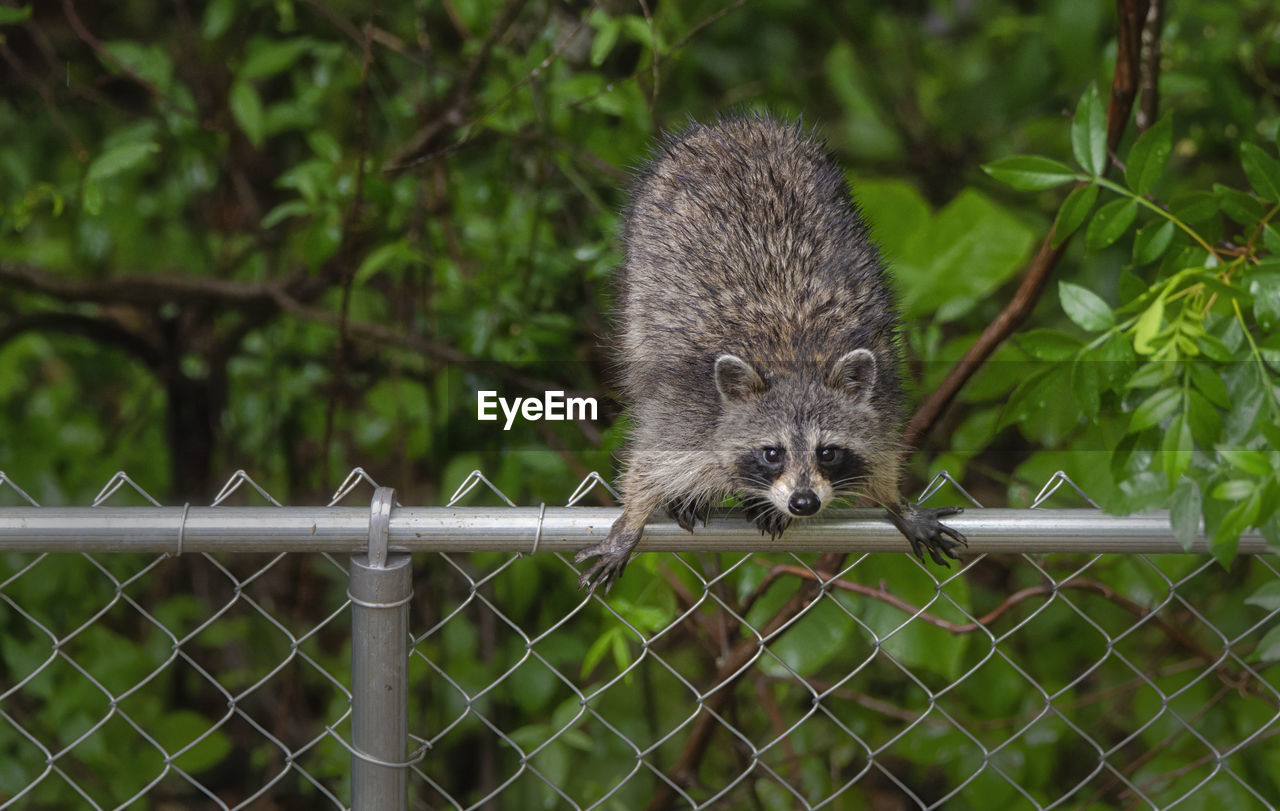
(381, 590)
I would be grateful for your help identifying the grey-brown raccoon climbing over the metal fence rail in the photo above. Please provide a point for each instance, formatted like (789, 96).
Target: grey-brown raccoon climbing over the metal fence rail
(758, 343)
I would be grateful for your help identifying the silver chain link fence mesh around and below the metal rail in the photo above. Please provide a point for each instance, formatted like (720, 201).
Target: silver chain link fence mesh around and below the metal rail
(237, 657)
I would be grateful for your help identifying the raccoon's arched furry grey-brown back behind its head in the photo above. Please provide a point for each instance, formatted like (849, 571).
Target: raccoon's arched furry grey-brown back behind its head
(742, 239)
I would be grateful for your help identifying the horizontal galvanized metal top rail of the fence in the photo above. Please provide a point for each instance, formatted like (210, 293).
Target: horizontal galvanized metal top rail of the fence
(505, 529)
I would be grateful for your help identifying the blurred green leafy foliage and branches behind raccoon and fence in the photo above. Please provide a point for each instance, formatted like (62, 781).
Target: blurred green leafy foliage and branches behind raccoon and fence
(295, 237)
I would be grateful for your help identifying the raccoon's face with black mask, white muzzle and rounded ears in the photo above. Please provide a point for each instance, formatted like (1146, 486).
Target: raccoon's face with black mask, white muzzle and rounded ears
(796, 441)
